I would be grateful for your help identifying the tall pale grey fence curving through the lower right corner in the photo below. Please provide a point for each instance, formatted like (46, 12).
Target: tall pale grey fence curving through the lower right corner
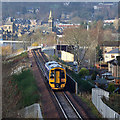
(105, 111)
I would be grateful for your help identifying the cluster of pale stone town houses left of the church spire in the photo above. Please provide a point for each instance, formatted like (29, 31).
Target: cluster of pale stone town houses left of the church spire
(14, 28)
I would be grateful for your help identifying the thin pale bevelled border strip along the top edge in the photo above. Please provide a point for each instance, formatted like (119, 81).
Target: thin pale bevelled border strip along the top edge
(60, 0)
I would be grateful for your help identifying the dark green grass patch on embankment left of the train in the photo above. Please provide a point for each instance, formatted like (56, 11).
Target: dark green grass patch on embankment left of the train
(27, 87)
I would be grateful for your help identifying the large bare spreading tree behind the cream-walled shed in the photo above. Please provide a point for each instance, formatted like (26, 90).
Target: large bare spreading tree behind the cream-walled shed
(82, 40)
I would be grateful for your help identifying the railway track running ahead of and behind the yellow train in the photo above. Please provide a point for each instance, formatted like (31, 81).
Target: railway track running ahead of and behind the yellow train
(66, 106)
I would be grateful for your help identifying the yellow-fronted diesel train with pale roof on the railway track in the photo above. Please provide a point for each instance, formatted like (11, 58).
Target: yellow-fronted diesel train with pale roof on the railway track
(56, 75)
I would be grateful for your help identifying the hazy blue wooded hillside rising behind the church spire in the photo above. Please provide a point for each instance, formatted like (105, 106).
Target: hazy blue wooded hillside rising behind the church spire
(84, 11)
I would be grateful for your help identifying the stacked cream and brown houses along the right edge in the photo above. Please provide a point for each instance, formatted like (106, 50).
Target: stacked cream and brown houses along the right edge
(111, 56)
